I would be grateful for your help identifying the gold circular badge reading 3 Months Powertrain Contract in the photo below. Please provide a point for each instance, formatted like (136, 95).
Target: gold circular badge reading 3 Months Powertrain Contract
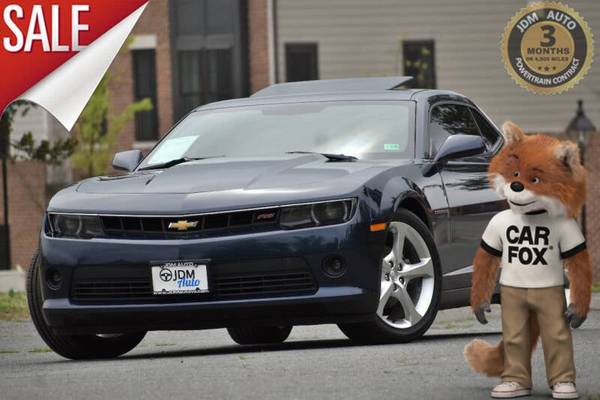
(547, 47)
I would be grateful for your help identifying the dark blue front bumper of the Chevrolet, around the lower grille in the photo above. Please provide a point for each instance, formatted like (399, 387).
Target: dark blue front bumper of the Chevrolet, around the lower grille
(351, 297)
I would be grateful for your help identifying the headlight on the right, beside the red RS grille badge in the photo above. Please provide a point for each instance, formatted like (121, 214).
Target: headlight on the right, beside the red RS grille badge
(317, 214)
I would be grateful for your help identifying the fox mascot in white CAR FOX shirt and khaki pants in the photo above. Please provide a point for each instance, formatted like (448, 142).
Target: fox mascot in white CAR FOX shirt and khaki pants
(533, 242)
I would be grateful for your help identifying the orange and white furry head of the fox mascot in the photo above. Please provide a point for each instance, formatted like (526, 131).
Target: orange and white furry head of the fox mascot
(538, 173)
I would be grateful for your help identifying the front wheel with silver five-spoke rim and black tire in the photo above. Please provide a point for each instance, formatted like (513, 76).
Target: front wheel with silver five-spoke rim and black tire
(392, 322)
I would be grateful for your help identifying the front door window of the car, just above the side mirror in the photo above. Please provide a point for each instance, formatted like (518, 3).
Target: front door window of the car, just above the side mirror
(447, 120)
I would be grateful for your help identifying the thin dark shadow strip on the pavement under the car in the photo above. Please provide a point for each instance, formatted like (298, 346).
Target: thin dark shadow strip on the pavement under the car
(313, 344)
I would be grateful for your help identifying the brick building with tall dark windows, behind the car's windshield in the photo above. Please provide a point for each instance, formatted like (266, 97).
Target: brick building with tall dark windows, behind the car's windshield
(184, 54)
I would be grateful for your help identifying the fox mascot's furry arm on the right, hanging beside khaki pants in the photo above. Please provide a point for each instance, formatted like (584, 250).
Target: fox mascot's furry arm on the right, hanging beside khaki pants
(579, 271)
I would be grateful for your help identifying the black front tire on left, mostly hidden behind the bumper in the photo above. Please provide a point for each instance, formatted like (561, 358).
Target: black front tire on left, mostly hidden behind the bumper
(75, 347)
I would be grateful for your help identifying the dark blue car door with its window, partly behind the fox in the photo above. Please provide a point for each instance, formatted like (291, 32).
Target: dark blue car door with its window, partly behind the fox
(471, 200)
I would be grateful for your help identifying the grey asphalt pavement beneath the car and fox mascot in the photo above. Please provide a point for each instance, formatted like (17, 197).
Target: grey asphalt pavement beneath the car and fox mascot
(316, 362)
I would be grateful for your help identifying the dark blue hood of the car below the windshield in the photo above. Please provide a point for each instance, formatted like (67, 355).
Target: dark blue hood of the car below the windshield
(221, 183)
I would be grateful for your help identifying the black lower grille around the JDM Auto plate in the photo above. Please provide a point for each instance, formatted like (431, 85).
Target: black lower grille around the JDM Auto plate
(127, 284)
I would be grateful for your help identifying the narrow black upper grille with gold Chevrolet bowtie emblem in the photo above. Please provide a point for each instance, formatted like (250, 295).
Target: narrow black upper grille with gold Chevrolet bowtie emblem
(186, 226)
